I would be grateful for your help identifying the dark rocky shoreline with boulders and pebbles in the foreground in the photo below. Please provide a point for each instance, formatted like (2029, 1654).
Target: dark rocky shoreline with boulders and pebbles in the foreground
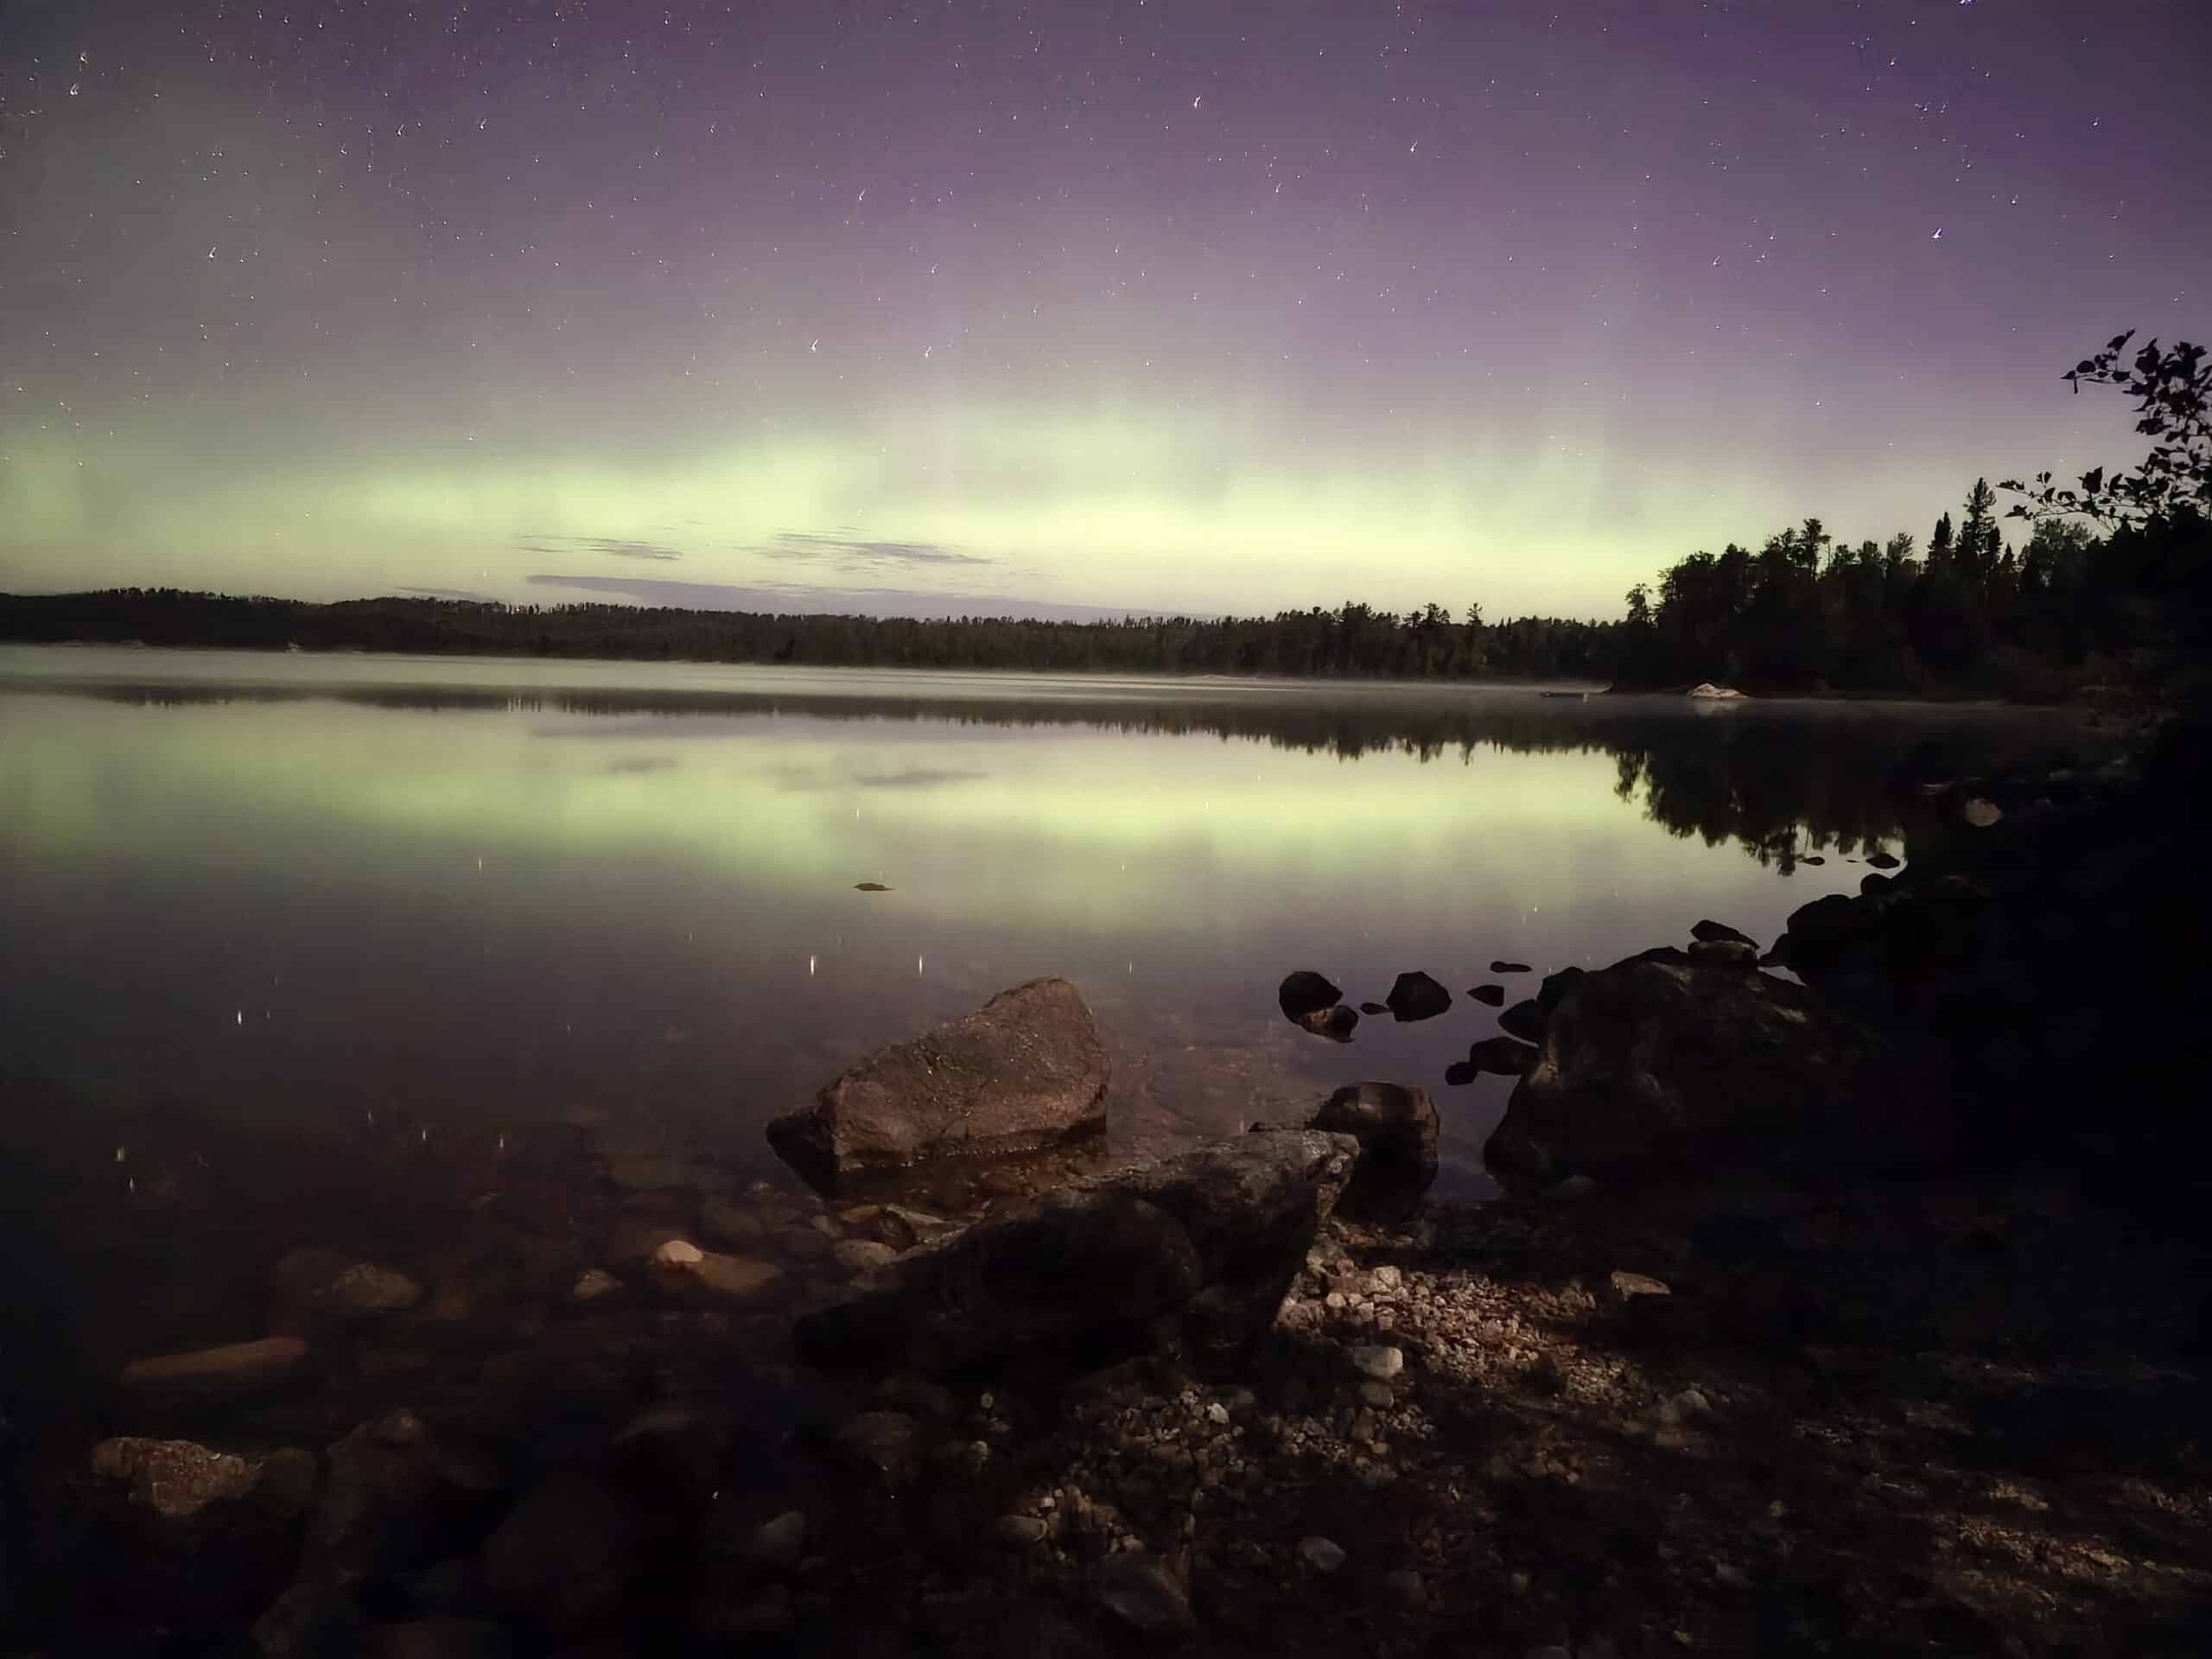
(1817, 1319)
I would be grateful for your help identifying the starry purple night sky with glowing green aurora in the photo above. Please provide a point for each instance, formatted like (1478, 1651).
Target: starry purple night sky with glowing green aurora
(968, 306)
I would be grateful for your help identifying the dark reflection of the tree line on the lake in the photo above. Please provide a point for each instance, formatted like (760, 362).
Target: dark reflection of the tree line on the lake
(1777, 780)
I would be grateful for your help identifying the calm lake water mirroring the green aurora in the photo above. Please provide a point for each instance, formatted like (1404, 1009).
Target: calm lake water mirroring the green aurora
(483, 895)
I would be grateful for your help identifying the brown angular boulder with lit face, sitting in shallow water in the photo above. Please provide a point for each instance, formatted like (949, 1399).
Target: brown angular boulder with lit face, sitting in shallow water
(1021, 1074)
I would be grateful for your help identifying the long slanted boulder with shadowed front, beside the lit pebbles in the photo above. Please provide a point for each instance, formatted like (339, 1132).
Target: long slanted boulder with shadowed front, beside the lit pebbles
(1198, 1249)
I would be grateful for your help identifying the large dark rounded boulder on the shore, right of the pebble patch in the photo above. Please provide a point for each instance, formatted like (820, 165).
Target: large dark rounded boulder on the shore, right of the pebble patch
(1662, 1065)
